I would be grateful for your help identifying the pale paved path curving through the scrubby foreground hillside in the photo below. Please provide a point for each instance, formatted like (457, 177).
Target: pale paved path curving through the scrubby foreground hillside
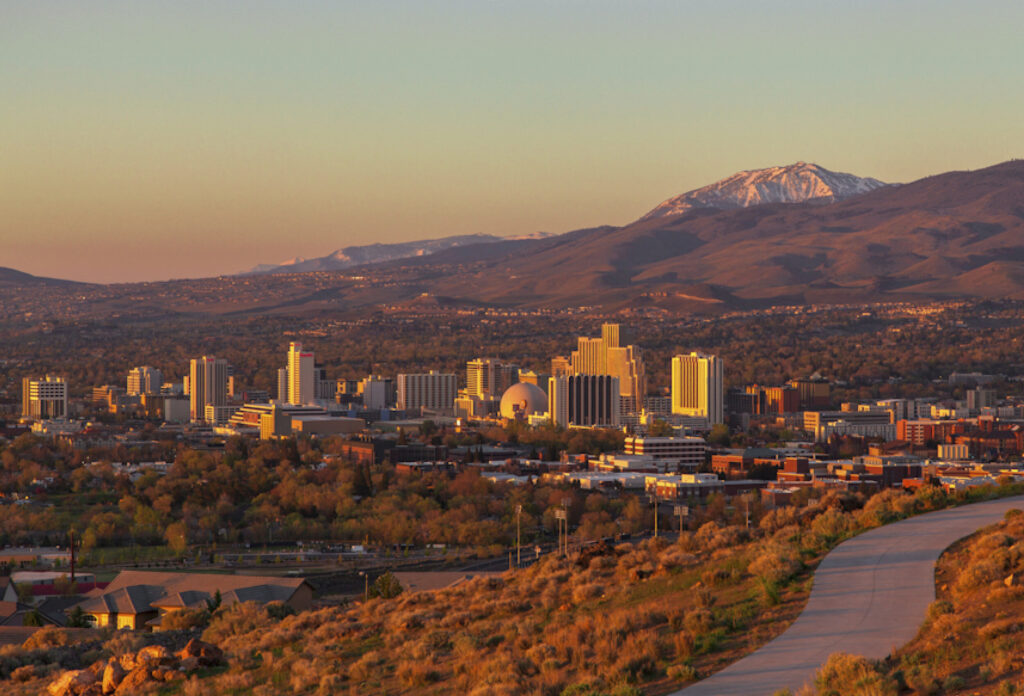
(870, 597)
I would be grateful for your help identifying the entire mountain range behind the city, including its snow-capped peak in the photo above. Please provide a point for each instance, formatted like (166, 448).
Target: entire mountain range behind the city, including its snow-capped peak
(782, 236)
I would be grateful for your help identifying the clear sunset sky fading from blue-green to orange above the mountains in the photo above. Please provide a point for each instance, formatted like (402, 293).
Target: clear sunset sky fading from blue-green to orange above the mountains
(153, 140)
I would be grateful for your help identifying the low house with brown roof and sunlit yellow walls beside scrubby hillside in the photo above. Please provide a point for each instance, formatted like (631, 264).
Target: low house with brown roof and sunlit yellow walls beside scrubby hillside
(139, 599)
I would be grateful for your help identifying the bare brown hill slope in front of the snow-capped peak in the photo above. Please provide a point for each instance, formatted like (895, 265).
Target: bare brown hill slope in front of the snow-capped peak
(958, 234)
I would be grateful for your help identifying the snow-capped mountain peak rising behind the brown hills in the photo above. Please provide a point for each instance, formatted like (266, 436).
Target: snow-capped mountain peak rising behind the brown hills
(795, 184)
